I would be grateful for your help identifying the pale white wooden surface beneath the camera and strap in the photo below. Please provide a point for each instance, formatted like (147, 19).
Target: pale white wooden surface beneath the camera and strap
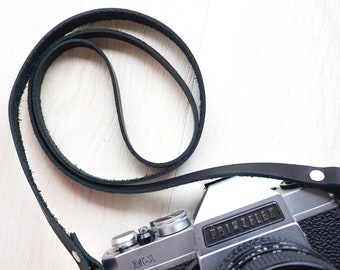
(271, 71)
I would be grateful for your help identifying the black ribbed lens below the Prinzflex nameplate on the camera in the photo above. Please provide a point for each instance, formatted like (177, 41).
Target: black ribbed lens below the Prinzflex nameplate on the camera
(274, 254)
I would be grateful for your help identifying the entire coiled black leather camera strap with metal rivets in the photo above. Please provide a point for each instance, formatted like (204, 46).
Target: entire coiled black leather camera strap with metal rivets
(68, 35)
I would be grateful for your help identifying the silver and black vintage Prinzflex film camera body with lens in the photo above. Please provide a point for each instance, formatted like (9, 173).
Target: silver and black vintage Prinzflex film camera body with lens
(238, 227)
